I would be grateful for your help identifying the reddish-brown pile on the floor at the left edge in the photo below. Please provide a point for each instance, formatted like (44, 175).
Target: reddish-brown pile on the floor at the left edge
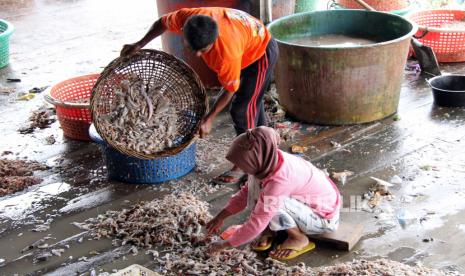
(16, 175)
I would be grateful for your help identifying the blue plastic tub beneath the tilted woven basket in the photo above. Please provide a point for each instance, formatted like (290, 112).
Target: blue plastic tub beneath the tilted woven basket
(125, 168)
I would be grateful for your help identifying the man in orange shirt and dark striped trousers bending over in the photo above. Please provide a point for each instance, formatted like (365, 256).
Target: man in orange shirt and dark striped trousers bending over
(235, 45)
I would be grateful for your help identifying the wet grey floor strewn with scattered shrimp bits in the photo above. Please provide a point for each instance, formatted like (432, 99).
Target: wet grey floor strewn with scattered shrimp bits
(57, 40)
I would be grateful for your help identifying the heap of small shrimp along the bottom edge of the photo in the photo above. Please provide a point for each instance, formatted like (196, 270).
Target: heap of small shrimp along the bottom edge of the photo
(195, 261)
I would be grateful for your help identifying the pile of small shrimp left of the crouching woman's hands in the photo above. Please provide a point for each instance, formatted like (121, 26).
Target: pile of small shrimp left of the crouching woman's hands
(174, 220)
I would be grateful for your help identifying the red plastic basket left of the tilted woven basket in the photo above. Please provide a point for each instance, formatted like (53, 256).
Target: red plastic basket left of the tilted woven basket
(72, 102)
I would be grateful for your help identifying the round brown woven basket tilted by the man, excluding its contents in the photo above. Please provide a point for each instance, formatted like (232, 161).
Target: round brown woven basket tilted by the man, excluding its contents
(183, 89)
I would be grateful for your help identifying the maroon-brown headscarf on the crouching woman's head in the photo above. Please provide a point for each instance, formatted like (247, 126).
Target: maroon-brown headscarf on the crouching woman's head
(255, 151)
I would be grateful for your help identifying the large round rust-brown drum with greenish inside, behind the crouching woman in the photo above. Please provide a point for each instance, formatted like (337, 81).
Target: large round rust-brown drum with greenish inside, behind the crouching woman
(339, 85)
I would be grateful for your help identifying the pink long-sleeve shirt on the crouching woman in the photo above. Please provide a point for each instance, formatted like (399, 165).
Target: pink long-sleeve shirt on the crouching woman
(294, 177)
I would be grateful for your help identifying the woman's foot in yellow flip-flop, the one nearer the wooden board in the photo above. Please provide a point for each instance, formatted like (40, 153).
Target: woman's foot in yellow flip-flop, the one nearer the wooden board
(296, 244)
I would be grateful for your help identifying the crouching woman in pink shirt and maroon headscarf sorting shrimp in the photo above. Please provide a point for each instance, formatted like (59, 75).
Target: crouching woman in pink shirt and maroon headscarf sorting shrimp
(283, 192)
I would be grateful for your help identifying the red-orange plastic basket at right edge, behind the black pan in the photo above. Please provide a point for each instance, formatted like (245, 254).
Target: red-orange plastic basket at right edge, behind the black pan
(447, 44)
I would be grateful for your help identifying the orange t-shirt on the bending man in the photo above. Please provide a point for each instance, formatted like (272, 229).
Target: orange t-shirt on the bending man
(242, 40)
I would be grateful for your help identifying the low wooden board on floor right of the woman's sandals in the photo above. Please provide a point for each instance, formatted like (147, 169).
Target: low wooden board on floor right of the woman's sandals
(345, 238)
